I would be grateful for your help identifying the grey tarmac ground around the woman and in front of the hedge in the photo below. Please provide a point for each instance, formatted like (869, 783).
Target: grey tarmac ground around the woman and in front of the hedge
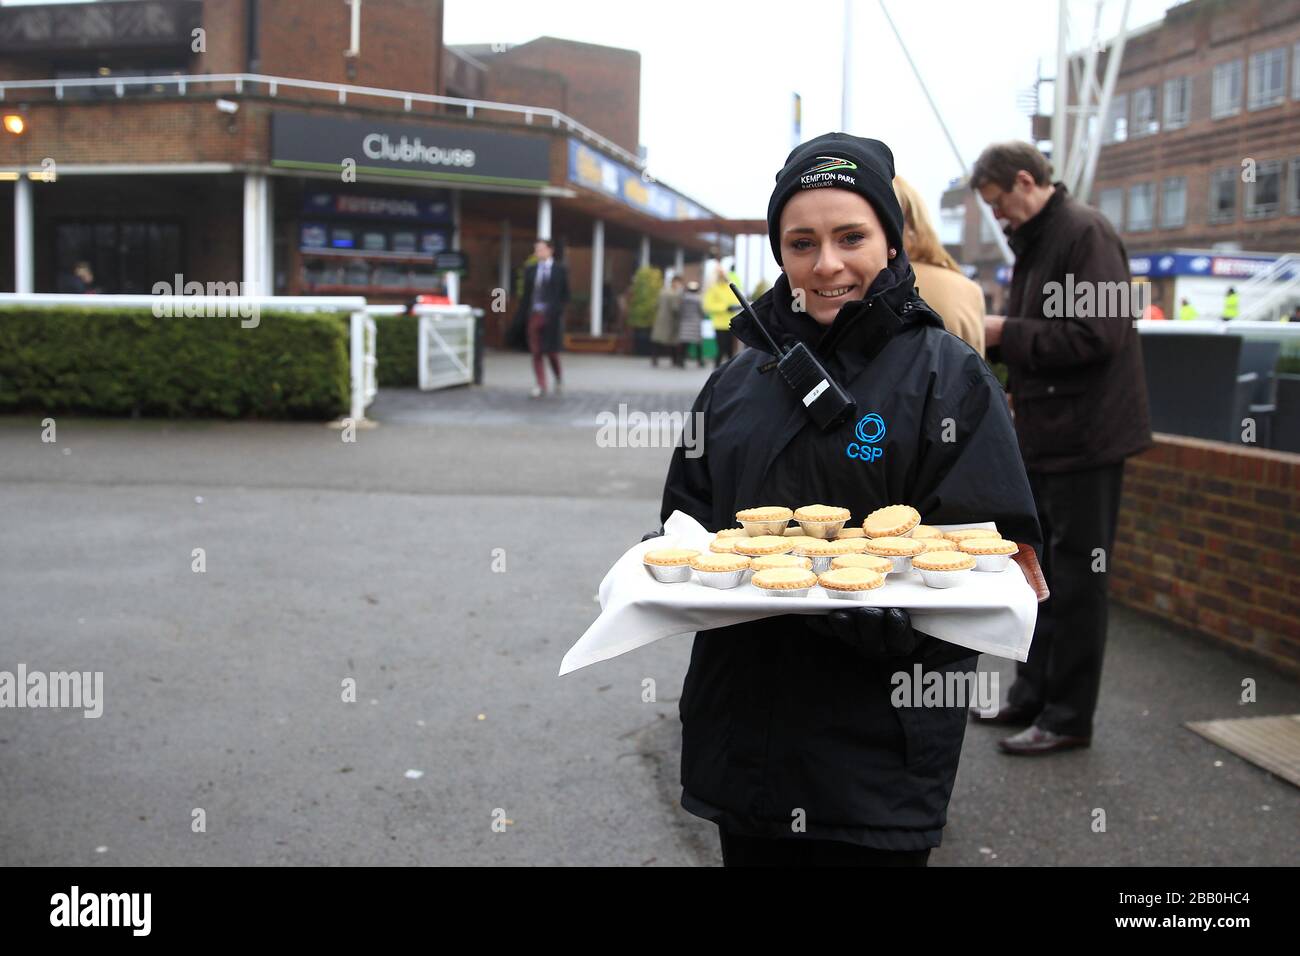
(441, 565)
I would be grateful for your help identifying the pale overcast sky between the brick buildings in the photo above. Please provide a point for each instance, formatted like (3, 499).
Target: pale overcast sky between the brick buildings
(718, 76)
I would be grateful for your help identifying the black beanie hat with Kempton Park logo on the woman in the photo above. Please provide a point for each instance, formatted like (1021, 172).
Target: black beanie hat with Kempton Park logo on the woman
(842, 162)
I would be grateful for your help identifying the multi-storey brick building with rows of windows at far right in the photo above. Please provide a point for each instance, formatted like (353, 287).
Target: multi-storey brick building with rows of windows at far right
(1202, 148)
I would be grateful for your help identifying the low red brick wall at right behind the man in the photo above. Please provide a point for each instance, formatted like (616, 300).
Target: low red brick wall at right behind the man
(1210, 537)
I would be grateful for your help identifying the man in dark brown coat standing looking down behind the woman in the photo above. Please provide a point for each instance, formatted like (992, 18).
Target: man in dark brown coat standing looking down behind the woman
(1080, 399)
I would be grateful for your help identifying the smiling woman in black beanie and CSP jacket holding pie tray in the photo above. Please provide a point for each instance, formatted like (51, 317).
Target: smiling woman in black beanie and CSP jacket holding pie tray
(790, 741)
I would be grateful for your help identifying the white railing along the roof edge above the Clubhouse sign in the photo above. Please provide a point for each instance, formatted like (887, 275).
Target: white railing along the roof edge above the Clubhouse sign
(242, 81)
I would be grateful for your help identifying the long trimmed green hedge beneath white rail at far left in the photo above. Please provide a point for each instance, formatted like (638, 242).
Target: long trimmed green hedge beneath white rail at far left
(128, 362)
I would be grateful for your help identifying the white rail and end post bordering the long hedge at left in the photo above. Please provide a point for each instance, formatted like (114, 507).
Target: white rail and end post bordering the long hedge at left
(245, 308)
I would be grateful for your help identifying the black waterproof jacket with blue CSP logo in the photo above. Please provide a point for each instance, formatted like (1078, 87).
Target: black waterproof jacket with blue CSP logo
(777, 719)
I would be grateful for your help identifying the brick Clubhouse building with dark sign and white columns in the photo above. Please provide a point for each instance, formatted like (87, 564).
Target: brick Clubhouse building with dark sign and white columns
(323, 149)
